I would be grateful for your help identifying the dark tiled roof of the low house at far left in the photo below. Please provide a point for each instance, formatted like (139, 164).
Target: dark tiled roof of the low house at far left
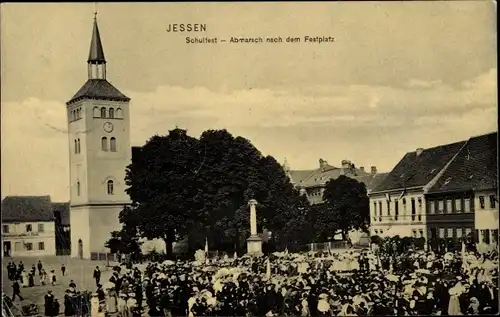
(27, 209)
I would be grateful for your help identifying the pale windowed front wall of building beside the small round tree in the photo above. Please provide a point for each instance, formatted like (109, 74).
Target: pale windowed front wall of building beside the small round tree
(382, 216)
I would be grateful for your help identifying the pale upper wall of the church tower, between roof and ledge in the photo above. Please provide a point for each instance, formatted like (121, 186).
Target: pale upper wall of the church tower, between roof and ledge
(93, 167)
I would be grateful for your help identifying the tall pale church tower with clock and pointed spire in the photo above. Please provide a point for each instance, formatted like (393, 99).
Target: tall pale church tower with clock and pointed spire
(99, 143)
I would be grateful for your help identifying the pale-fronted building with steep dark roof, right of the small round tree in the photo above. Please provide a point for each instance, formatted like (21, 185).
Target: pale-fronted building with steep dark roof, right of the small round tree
(397, 204)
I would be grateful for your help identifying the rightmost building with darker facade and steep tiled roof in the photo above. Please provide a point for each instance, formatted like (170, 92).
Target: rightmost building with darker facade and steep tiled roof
(465, 198)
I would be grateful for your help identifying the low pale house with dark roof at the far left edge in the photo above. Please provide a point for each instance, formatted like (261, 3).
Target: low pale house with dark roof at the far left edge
(28, 226)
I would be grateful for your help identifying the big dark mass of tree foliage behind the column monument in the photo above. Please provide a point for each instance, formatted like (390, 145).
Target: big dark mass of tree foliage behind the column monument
(181, 186)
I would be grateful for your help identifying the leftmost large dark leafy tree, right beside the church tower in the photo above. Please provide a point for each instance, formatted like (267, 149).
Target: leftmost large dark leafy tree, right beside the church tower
(162, 186)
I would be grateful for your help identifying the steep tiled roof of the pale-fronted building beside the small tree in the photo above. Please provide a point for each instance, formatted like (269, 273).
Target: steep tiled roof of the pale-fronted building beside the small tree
(418, 170)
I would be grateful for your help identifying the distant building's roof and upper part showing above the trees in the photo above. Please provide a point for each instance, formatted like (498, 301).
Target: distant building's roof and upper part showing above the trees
(312, 182)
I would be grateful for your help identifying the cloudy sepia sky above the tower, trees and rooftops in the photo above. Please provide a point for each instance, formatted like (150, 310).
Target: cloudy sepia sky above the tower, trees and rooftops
(399, 76)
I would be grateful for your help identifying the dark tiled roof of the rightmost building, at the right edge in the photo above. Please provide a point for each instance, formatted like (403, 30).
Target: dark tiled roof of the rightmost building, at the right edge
(475, 166)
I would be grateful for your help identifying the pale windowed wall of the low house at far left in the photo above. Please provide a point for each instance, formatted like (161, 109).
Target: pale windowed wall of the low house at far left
(18, 237)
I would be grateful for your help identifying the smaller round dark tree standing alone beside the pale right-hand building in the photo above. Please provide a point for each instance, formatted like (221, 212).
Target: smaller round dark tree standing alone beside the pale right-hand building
(345, 207)
